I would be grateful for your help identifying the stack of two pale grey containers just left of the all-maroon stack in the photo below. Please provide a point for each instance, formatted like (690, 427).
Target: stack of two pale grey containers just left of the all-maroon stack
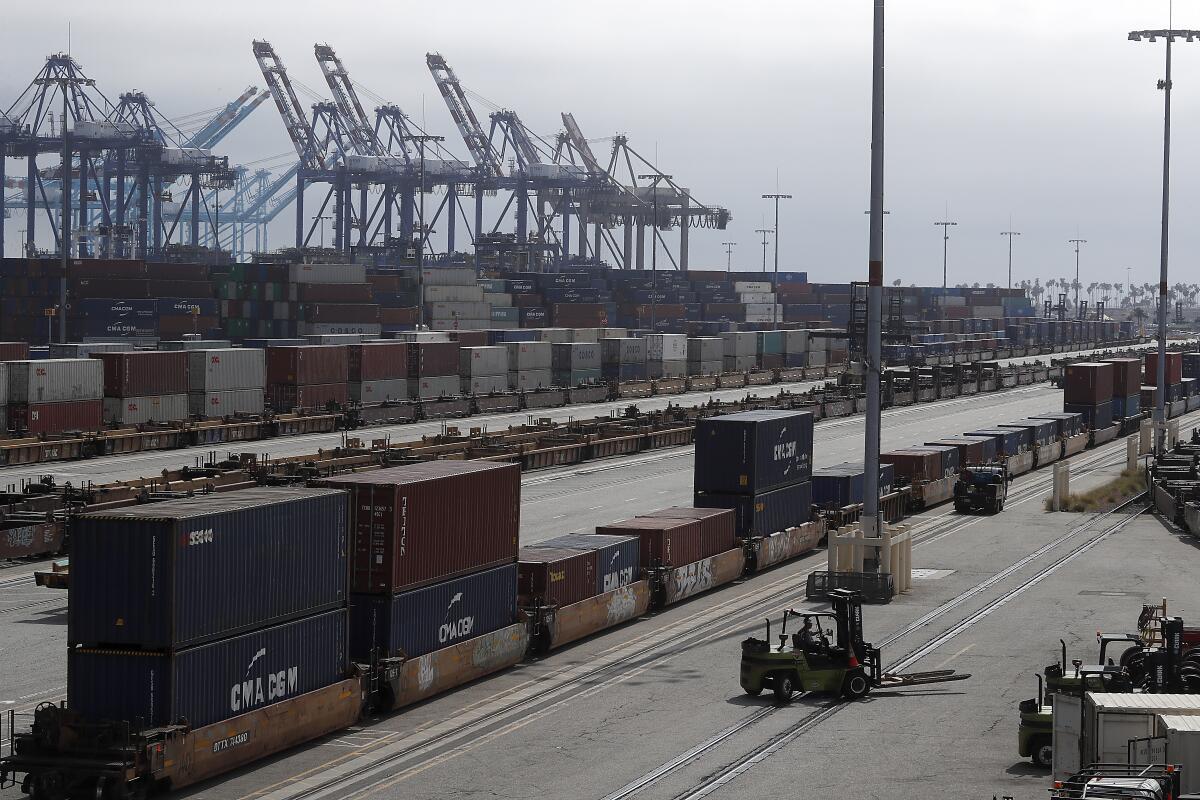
(227, 382)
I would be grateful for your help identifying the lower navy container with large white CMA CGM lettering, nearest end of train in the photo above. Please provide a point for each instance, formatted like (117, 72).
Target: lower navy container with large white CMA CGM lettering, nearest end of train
(213, 682)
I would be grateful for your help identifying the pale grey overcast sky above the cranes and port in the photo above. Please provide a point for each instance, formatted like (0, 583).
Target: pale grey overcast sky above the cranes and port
(1036, 110)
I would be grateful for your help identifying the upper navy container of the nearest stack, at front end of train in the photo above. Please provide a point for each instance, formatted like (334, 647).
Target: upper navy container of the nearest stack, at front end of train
(175, 574)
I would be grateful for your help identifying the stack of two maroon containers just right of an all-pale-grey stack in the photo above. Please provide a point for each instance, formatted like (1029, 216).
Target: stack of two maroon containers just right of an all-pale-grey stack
(309, 377)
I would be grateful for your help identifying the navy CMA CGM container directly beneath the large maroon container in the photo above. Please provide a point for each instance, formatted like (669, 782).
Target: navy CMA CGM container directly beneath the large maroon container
(412, 624)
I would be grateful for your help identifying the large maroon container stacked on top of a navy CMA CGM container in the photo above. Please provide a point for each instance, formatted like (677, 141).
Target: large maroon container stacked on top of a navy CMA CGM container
(423, 524)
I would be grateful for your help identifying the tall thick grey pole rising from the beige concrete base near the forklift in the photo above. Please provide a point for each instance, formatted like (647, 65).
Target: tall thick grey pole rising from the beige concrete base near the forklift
(873, 525)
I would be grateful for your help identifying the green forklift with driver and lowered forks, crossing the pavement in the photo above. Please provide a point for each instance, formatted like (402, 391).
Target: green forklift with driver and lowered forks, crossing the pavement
(820, 659)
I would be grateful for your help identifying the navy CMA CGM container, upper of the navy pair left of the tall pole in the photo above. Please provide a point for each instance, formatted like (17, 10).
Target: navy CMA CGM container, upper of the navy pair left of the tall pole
(753, 452)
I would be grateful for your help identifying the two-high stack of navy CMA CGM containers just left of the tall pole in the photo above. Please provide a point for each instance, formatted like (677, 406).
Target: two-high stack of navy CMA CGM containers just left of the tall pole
(760, 465)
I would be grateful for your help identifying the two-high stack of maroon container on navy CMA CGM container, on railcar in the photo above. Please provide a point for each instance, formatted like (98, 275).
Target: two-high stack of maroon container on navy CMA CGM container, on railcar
(429, 570)
